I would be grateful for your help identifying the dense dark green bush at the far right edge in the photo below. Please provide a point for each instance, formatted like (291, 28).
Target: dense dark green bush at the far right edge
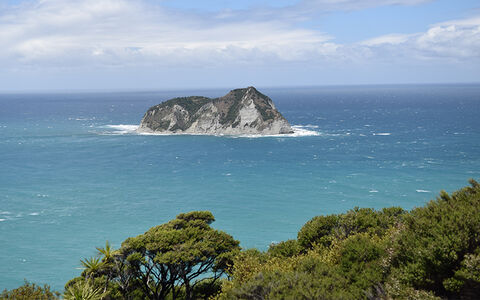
(437, 240)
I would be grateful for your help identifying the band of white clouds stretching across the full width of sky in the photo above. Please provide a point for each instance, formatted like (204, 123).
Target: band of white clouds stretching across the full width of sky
(119, 33)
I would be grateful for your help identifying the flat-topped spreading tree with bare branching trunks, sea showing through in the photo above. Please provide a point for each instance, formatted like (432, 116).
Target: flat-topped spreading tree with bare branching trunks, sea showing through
(179, 252)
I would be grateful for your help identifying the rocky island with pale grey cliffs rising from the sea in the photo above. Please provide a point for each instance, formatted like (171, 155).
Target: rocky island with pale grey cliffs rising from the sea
(241, 111)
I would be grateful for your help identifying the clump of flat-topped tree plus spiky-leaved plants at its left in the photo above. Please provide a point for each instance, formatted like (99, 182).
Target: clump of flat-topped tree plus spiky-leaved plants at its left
(166, 261)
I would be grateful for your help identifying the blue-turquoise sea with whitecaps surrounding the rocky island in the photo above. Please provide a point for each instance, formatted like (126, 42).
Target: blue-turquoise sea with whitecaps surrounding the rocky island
(71, 178)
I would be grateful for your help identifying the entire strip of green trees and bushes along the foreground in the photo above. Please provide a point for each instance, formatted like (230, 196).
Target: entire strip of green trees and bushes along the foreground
(430, 252)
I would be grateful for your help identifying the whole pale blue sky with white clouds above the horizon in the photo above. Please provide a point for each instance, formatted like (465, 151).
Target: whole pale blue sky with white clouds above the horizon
(182, 44)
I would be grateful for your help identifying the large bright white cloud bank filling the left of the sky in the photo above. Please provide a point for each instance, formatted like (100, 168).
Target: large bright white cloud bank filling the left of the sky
(54, 32)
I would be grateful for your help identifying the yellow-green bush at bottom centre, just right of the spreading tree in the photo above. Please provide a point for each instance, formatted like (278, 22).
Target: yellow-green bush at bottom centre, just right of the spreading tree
(257, 275)
